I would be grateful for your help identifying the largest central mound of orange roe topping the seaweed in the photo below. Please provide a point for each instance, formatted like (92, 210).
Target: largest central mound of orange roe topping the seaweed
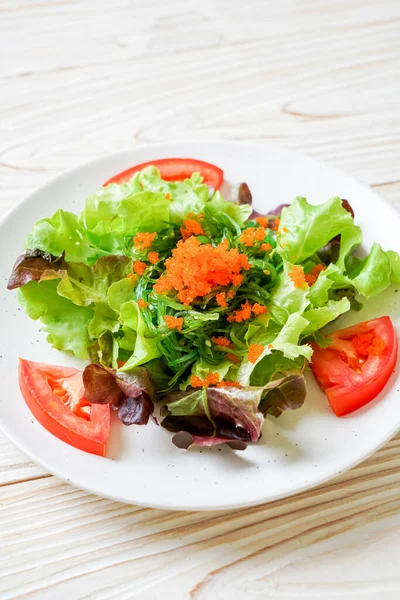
(194, 269)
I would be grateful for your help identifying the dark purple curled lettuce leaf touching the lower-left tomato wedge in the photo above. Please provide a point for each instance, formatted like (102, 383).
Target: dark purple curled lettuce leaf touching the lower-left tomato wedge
(131, 392)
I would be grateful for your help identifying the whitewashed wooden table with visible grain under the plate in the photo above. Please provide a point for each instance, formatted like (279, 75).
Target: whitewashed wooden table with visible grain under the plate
(81, 79)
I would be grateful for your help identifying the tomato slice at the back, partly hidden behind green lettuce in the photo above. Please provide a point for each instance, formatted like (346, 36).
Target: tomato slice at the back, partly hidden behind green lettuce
(176, 169)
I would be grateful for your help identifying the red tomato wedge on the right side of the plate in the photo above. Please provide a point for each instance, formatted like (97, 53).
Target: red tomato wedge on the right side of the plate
(356, 366)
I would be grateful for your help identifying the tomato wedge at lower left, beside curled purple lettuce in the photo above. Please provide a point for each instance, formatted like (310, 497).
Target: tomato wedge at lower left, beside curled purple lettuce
(55, 396)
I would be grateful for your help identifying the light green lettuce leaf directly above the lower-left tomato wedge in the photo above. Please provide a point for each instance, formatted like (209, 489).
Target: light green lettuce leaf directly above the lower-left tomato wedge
(66, 323)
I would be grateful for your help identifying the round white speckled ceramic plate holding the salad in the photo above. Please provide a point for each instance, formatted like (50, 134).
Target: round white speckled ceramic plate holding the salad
(297, 451)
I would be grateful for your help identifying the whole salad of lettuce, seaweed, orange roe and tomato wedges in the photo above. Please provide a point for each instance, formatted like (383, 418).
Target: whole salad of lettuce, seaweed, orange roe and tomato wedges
(197, 312)
